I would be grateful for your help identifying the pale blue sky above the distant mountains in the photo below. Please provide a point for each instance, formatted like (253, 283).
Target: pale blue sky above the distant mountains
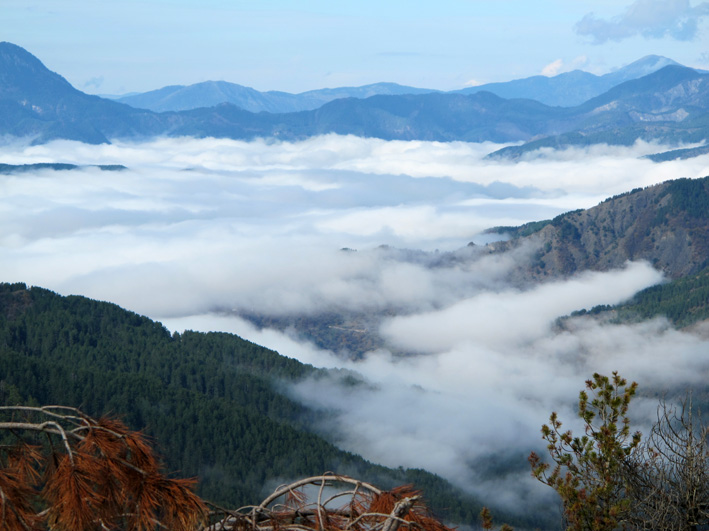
(115, 47)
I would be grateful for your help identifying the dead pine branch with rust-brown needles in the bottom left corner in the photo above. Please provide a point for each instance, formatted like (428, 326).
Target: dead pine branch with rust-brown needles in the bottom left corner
(65, 471)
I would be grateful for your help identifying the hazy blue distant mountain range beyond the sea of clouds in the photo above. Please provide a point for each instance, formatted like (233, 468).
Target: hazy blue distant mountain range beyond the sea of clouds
(670, 105)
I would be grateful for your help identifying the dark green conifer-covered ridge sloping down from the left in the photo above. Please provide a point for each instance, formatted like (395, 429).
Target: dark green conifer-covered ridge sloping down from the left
(212, 401)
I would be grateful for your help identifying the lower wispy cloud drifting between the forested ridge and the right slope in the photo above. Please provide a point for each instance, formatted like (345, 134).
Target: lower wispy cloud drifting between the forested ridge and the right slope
(493, 373)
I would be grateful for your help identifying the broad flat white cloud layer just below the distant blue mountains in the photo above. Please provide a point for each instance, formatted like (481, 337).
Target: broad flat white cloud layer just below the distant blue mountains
(211, 223)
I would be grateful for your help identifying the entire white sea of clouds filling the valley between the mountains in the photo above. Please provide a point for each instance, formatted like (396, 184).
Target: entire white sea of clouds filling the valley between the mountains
(194, 228)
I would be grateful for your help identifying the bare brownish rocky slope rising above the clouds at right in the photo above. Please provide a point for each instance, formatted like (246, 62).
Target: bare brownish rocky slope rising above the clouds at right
(666, 225)
